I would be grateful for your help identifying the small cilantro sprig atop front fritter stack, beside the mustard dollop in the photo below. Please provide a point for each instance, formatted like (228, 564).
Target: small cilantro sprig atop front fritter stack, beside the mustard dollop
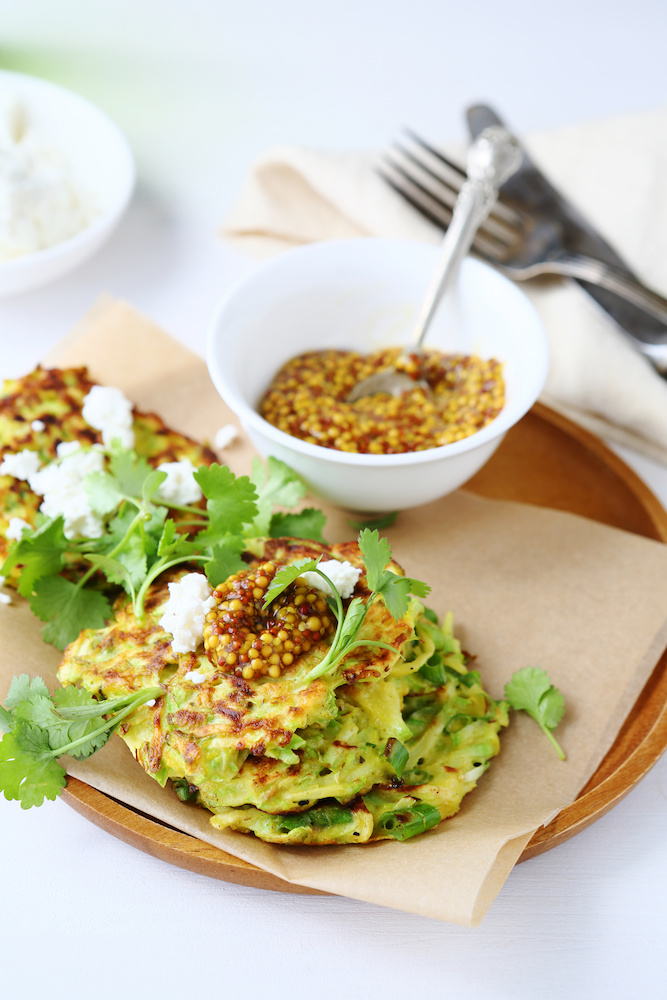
(391, 587)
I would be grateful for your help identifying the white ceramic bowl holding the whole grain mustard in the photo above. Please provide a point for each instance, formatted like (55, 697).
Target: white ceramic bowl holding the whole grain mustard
(364, 294)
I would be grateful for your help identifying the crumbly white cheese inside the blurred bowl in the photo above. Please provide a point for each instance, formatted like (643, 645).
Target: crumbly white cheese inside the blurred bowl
(41, 203)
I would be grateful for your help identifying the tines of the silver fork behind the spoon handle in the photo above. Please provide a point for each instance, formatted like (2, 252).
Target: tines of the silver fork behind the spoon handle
(430, 181)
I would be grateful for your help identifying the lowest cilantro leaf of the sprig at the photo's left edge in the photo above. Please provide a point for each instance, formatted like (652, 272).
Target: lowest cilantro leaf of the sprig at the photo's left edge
(28, 771)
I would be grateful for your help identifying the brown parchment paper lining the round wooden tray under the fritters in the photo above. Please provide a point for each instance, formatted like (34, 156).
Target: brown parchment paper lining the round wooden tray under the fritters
(526, 586)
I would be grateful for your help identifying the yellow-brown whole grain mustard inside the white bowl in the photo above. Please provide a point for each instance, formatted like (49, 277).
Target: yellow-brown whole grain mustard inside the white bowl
(307, 399)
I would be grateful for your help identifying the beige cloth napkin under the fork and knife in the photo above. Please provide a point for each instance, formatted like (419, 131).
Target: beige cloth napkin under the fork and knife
(614, 170)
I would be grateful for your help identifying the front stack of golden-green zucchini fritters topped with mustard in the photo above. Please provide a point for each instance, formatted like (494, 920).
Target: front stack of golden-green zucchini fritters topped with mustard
(298, 761)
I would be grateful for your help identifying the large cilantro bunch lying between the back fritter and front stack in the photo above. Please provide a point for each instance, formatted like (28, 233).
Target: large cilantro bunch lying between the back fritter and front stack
(69, 583)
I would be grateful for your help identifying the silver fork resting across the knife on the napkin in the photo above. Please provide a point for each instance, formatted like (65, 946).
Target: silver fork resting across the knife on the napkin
(517, 244)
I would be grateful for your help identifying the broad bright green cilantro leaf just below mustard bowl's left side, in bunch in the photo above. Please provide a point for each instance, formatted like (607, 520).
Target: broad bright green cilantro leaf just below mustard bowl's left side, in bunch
(230, 502)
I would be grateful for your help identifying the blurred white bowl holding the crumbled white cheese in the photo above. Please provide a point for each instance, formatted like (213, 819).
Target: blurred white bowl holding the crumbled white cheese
(102, 164)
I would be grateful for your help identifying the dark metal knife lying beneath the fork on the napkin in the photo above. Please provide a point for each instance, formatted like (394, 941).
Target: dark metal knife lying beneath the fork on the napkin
(530, 191)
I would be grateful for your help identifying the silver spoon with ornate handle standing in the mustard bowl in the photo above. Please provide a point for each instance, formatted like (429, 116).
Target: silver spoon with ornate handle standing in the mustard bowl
(492, 158)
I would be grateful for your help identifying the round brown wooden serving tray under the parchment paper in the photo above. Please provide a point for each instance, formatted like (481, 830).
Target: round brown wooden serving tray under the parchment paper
(546, 460)
